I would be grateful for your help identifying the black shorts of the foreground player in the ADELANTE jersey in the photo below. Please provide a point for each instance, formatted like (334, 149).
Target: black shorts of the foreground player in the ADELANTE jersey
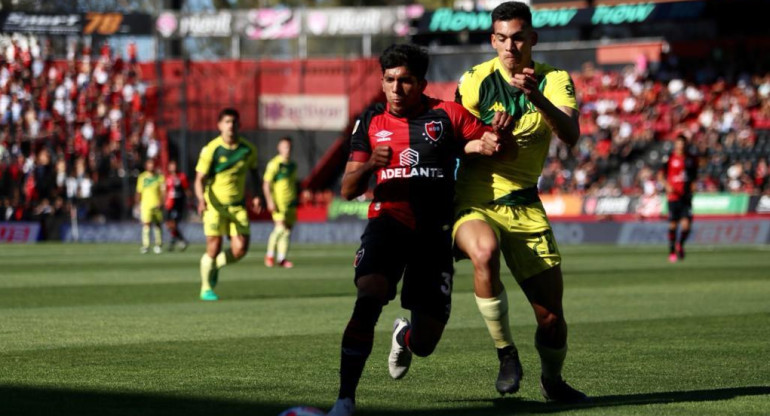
(423, 258)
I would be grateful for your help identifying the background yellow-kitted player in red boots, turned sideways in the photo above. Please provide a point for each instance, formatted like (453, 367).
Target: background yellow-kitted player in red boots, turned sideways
(280, 189)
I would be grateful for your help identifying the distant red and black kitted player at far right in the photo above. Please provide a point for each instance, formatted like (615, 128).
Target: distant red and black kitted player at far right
(681, 172)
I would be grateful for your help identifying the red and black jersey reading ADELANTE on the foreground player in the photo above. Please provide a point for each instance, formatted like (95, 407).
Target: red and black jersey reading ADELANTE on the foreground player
(417, 186)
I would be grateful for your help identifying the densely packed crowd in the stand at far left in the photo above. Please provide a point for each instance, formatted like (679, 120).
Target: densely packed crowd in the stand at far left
(61, 128)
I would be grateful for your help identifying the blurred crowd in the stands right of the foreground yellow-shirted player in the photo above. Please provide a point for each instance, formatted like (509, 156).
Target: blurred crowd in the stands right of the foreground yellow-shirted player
(628, 120)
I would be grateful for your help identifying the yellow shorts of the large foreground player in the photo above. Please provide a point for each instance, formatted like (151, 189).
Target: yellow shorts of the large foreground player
(524, 233)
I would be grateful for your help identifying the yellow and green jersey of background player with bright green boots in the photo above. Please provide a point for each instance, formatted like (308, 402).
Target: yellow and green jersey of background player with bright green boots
(225, 167)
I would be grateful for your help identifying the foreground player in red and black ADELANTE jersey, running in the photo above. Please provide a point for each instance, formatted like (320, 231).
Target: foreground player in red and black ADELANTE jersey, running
(410, 145)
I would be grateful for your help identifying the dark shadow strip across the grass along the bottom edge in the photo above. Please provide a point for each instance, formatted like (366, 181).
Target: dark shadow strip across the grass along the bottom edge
(26, 400)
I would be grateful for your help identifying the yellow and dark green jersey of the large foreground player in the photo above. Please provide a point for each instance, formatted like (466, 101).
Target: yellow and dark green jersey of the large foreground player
(485, 89)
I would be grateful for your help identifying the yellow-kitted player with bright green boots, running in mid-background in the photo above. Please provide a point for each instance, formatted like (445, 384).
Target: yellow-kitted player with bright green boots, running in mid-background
(220, 187)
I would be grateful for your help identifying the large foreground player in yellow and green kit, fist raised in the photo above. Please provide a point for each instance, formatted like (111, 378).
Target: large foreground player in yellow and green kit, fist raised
(497, 205)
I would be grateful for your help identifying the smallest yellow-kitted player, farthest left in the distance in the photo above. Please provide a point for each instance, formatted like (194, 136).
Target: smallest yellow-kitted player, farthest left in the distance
(150, 190)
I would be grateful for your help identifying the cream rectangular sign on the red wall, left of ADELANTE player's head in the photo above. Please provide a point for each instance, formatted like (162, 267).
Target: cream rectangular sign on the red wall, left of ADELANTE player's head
(305, 112)
